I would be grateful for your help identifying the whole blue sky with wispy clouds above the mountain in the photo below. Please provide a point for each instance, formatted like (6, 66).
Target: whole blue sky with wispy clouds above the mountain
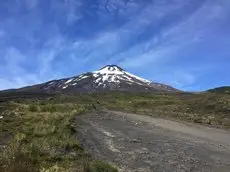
(183, 43)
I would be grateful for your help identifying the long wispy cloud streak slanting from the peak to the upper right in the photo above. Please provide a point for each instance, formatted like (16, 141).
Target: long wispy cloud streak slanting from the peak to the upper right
(174, 39)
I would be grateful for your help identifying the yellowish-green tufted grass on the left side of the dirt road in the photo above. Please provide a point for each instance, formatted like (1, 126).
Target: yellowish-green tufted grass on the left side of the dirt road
(41, 138)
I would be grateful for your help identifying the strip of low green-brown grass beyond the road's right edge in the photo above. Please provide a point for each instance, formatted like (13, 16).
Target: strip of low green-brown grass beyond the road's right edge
(205, 108)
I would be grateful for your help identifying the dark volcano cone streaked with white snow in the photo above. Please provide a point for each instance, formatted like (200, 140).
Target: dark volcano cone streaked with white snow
(108, 78)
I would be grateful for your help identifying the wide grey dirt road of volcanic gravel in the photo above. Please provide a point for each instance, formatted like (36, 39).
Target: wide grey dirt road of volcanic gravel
(138, 143)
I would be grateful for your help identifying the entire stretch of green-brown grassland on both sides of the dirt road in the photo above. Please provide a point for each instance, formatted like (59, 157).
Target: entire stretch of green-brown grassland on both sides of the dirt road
(38, 134)
